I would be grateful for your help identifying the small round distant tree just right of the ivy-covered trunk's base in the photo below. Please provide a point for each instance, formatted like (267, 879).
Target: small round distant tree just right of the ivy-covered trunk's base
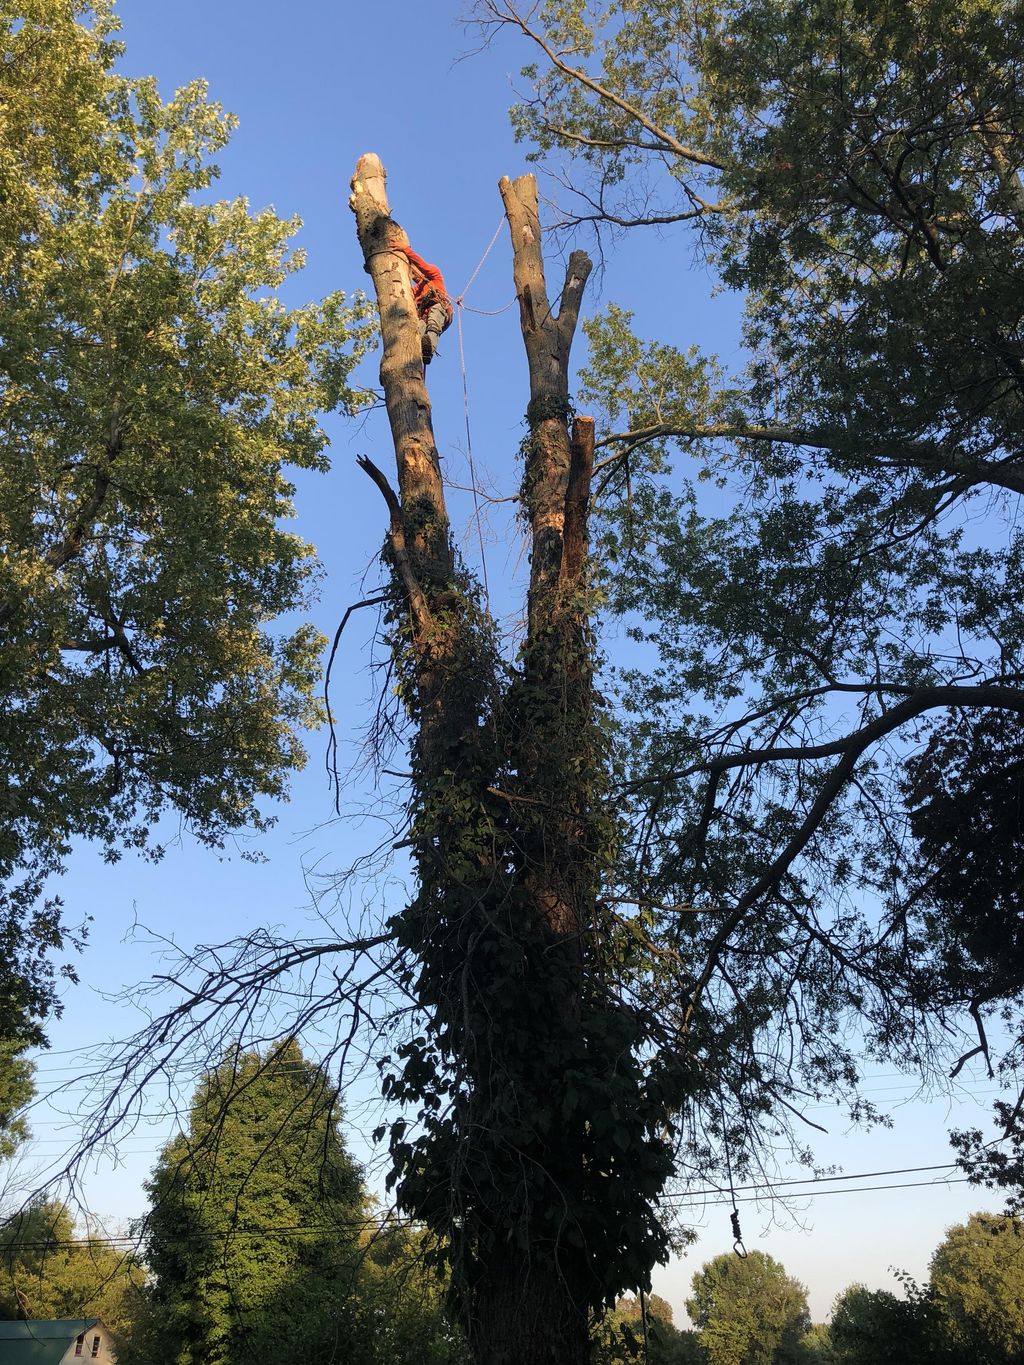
(749, 1311)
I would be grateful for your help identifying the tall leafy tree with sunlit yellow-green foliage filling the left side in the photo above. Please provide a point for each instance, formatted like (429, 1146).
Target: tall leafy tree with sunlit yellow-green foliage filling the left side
(154, 395)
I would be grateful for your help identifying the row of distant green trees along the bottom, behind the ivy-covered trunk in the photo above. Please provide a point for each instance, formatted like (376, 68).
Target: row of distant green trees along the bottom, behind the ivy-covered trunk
(261, 1236)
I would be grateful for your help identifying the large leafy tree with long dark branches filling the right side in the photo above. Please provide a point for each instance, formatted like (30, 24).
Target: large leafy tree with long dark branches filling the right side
(819, 556)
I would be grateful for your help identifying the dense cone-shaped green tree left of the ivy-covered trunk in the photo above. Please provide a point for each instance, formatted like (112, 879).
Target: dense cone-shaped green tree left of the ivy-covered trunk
(256, 1217)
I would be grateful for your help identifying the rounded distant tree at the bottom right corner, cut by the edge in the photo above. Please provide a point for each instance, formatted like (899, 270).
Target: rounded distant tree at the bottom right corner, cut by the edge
(977, 1278)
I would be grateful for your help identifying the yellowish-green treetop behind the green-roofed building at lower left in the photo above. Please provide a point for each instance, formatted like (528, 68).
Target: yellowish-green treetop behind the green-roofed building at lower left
(46, 1271)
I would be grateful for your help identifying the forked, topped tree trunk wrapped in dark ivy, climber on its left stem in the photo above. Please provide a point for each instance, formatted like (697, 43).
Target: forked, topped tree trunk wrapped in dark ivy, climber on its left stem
(536, 1151)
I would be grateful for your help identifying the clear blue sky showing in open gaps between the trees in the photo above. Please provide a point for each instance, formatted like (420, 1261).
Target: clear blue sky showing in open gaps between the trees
(315, 85)
